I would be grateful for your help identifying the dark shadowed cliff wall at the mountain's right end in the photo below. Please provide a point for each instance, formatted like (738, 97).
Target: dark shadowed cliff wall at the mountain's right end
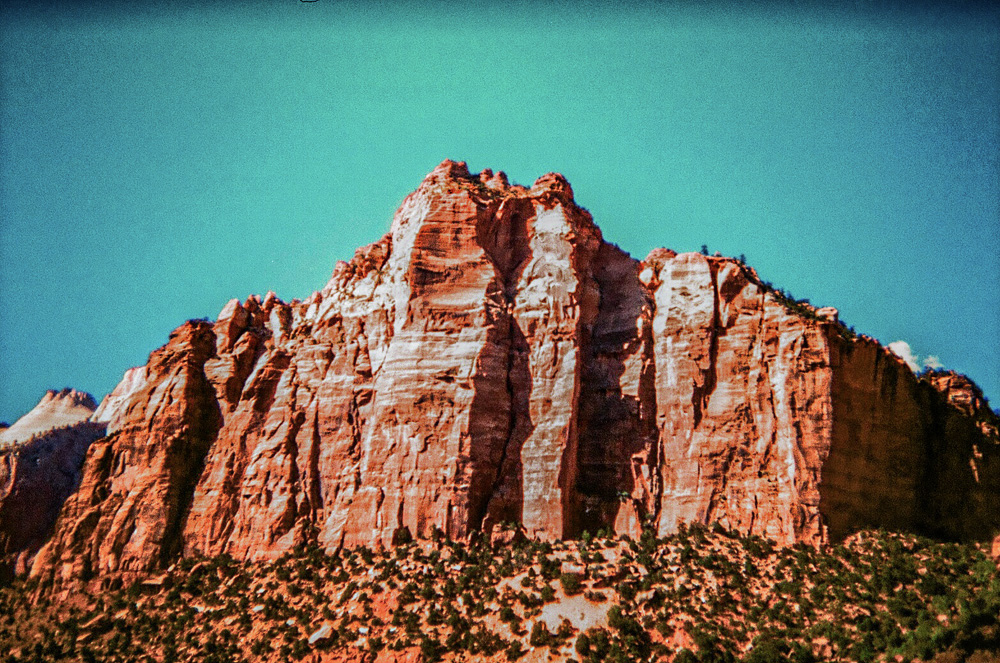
(902, 457)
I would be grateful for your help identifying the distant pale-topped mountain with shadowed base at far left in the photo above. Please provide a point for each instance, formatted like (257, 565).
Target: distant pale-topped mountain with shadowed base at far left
(39, 468)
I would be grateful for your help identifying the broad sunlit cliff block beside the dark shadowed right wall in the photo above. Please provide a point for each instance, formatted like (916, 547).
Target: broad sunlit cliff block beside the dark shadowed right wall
(742, 401)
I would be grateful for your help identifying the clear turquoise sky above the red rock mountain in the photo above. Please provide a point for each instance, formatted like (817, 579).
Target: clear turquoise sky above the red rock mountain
(157, 160)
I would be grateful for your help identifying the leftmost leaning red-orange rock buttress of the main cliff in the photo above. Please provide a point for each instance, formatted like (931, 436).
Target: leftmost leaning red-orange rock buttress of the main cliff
(127, 514)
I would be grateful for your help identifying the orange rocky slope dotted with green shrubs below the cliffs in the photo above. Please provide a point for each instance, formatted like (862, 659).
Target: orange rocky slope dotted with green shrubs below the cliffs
(699, 595)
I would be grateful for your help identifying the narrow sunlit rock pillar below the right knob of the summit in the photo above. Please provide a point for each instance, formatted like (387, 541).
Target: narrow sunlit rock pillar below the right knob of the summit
(554, 309)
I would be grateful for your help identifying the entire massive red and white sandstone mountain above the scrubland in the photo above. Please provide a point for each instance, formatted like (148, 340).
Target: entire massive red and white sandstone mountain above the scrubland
(493, 360)
